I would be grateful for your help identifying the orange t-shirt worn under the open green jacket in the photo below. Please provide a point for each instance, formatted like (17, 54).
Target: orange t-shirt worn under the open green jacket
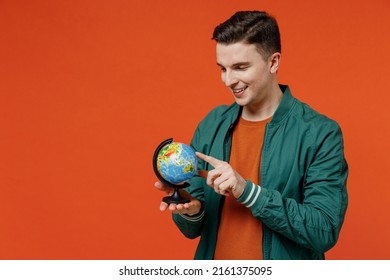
(240, 235)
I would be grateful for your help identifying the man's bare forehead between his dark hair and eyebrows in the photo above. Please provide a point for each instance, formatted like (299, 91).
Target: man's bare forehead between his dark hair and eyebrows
(230, 54)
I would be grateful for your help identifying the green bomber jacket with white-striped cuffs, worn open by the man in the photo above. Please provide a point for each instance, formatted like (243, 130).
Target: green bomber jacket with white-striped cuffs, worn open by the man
(302, 199)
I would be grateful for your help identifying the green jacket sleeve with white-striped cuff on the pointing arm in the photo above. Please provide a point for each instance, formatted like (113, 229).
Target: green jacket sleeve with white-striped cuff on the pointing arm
(316, 220)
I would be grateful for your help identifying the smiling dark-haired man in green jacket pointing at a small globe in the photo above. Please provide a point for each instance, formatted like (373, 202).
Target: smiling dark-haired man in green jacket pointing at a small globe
(273, 175)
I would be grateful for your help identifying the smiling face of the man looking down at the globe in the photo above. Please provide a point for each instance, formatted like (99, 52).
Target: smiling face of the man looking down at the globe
(246, 73)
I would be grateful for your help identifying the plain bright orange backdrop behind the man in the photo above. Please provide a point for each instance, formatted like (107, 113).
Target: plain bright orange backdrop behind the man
(88, 89)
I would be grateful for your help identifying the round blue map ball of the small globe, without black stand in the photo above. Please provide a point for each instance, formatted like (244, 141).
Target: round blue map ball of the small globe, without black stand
(177, 163)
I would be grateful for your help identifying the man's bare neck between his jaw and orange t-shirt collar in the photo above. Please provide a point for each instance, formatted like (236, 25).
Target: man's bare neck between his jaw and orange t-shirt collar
(264, 108)
